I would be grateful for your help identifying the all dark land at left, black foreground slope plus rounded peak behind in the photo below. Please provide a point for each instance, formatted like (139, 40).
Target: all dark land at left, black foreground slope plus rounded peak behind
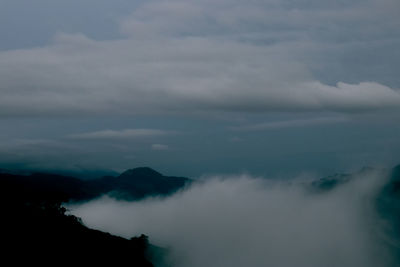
(35, 229)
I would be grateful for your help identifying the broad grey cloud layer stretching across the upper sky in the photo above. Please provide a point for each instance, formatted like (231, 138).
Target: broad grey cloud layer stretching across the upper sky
(201, 56)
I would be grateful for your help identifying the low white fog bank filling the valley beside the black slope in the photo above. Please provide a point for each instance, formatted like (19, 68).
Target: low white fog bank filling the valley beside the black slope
(252, 222)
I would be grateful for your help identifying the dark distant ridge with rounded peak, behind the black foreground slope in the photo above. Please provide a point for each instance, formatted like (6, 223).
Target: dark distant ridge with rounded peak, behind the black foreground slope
(132, 184)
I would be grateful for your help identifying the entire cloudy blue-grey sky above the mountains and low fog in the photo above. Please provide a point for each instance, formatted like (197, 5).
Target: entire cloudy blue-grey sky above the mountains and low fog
(194, 87)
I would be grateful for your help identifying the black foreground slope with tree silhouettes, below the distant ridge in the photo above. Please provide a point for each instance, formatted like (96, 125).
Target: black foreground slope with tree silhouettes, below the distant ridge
(43, 234)
